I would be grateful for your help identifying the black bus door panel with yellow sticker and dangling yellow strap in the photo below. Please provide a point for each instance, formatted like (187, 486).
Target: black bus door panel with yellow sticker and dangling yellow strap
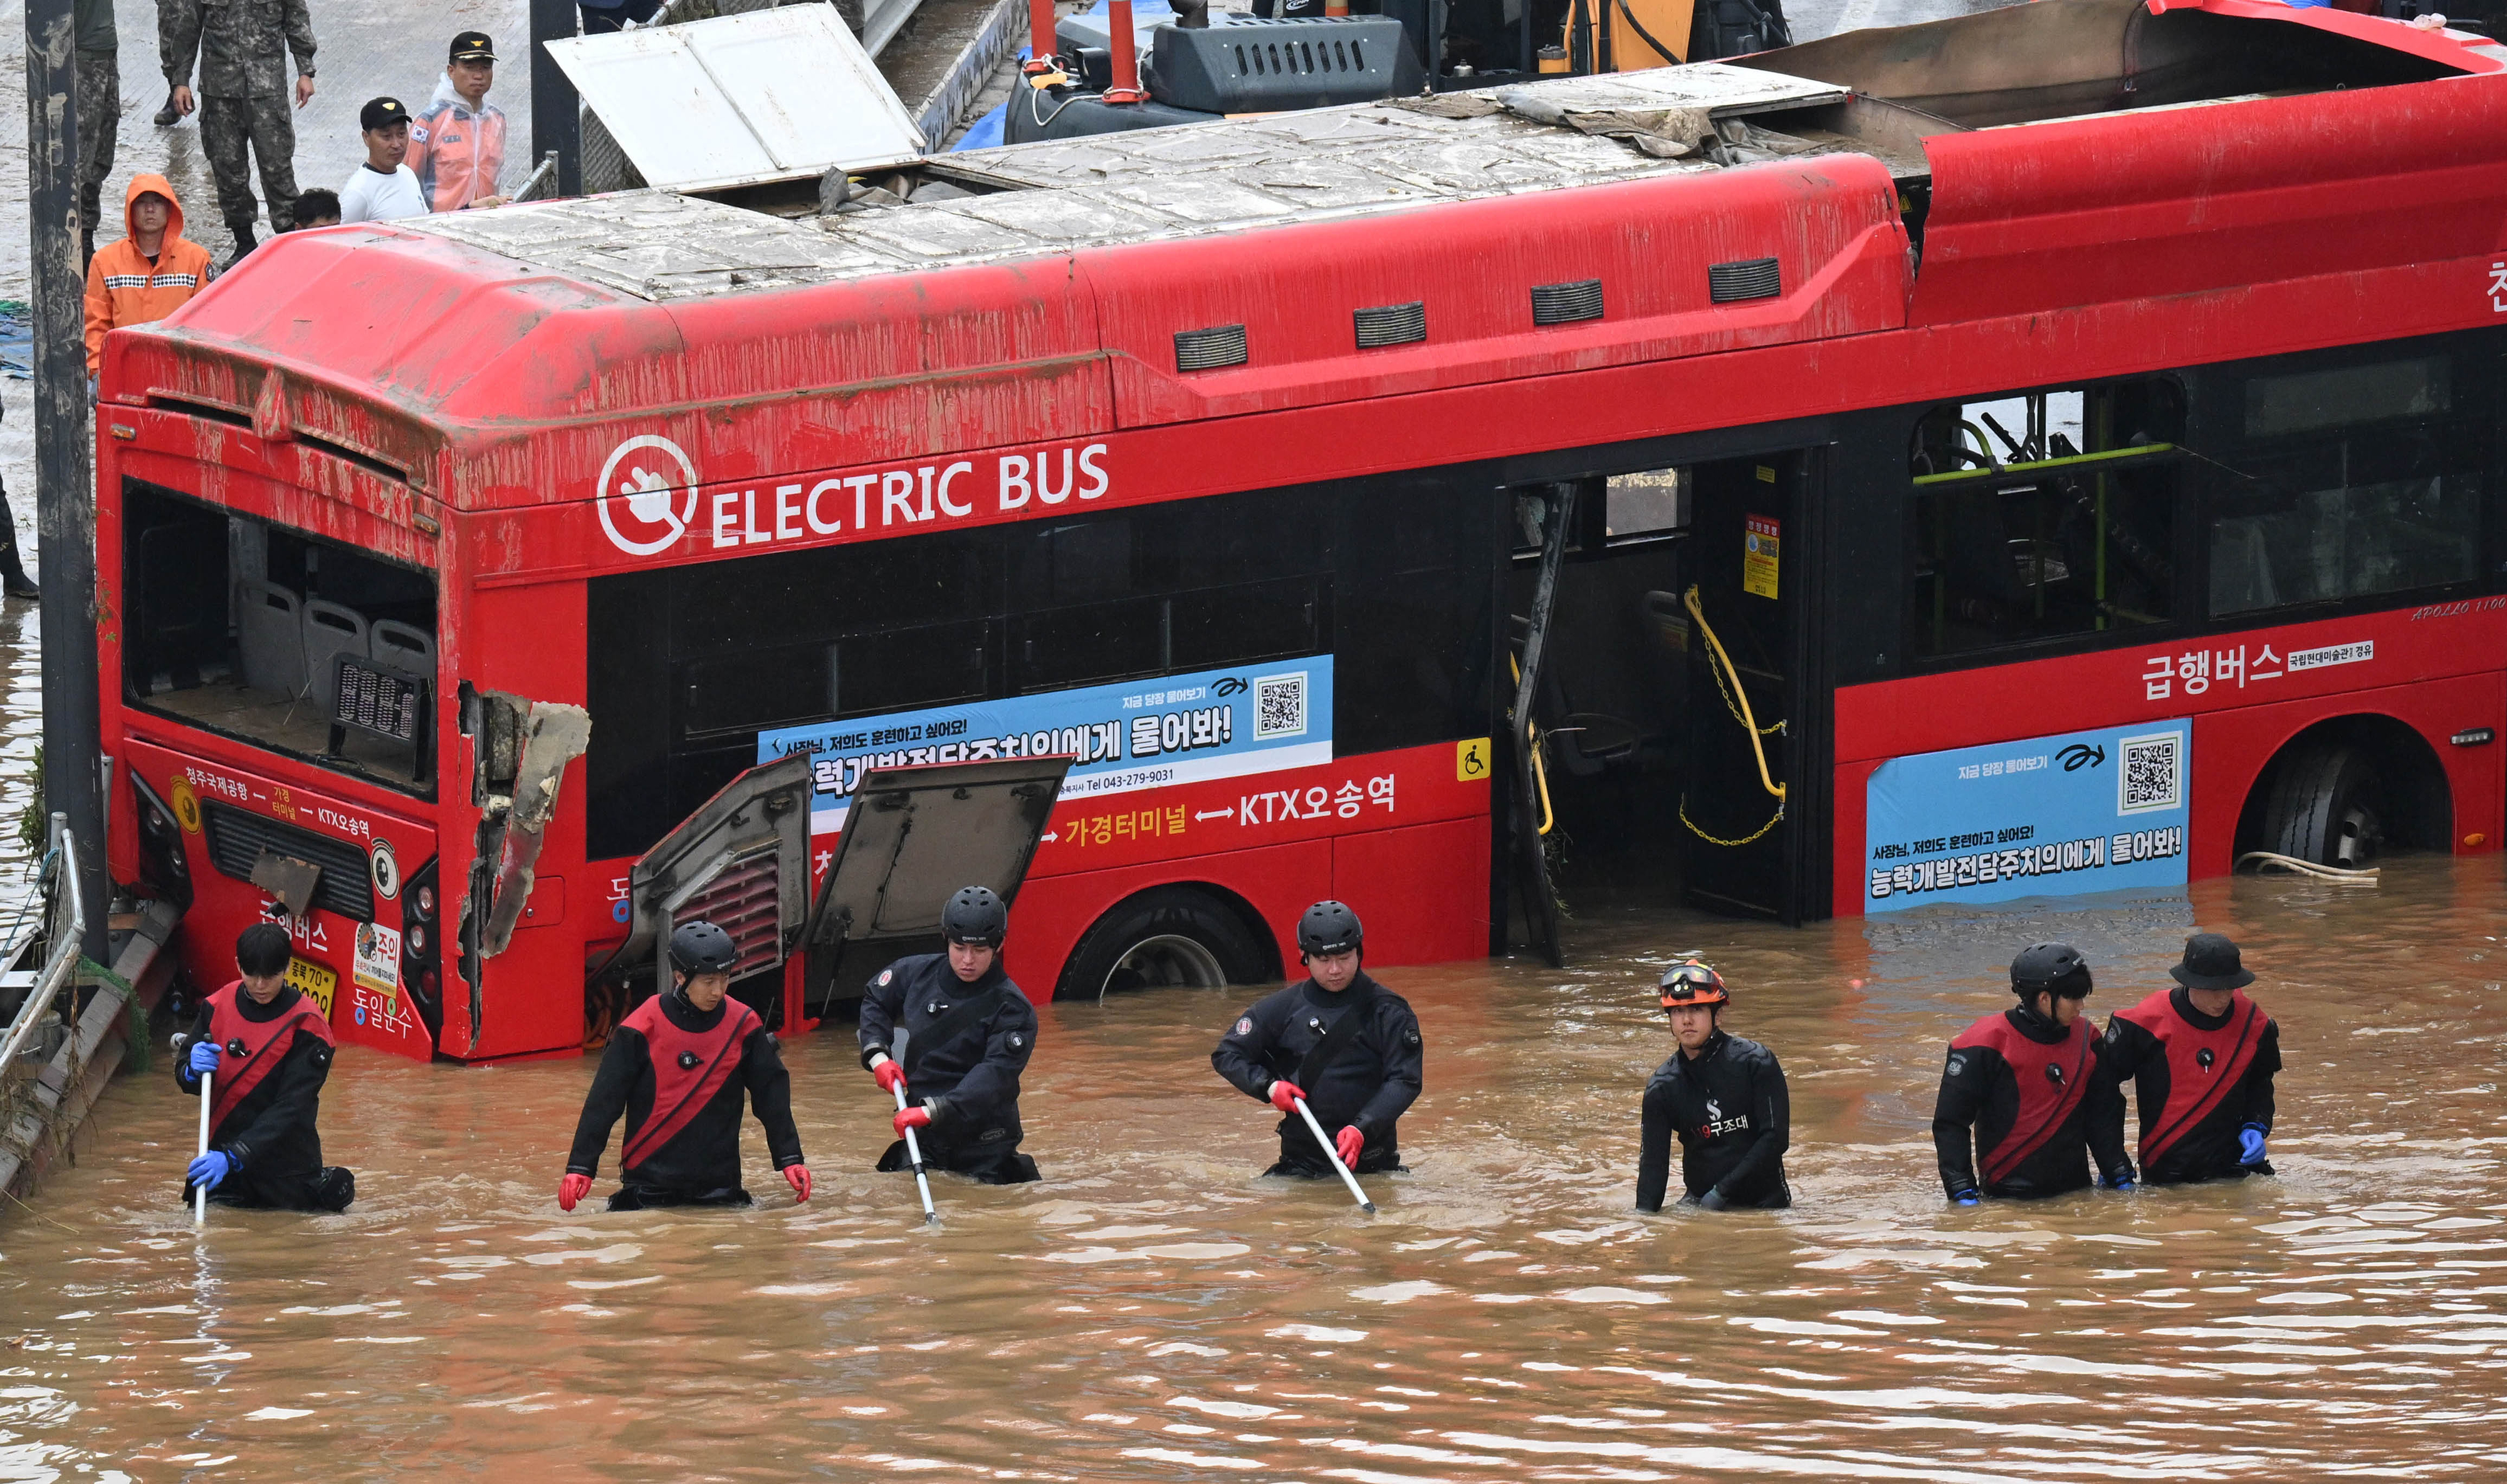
(1741, 846)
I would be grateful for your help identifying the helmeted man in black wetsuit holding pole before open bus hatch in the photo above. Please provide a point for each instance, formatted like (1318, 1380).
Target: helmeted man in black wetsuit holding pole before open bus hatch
(969, 1037)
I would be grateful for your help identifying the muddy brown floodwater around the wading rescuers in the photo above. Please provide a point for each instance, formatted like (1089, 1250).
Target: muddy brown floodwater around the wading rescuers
(1159, 1312)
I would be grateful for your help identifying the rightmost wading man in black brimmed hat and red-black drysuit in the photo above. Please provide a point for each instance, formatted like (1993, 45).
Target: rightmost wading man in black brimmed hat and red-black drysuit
(2202, 1059)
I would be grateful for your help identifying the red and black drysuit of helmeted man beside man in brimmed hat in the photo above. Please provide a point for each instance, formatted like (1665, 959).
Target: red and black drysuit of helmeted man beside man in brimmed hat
(2022, 1102)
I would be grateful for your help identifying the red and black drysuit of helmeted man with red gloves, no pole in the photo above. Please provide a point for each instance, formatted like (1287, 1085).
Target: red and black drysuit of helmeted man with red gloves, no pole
(678, 1074)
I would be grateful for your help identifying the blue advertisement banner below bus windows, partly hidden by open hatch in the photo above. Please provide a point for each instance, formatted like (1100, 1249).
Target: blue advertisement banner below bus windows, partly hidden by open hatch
(1132, 736)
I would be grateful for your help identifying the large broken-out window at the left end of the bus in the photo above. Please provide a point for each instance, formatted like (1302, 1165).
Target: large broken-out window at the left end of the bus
(300, 643)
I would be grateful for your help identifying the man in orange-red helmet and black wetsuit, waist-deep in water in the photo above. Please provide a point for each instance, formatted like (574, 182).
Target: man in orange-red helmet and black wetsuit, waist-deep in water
(1726, 1099)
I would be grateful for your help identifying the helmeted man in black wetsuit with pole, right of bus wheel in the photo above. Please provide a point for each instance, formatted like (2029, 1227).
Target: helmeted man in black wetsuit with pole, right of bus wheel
(1340, 1042)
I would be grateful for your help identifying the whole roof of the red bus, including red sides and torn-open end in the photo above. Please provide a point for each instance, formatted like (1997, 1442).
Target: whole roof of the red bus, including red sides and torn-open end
(1047, 292)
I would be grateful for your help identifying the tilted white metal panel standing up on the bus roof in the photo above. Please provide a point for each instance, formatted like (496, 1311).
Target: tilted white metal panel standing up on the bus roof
(761, 97)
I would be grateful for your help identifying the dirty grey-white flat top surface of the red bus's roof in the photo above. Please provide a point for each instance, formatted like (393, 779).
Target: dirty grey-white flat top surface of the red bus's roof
(1149, 187)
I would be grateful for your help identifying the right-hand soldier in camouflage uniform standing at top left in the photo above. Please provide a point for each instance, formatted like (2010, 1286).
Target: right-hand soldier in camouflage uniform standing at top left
(244, 97)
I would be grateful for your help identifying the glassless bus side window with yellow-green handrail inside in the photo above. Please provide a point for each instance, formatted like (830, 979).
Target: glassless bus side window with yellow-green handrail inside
(2042, 518)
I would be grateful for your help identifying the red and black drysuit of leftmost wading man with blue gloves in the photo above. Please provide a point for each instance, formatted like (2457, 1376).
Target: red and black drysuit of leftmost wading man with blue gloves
(264, 1102)
